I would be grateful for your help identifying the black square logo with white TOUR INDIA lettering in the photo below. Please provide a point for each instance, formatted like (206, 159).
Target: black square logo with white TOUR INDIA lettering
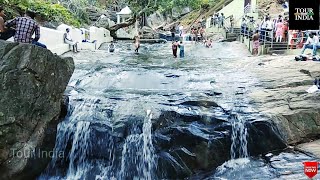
(304, 15)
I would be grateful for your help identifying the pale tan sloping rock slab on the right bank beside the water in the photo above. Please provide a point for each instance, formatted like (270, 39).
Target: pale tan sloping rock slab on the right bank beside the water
(284, 98)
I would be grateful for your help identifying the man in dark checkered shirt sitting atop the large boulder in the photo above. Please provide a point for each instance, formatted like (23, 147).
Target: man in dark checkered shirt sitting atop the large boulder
(25, 27)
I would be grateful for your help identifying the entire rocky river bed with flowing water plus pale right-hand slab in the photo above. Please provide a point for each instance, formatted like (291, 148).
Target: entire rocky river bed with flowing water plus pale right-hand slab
(216, 114)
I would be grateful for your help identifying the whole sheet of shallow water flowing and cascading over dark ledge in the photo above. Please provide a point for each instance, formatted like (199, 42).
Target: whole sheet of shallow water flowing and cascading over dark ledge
(194, 125)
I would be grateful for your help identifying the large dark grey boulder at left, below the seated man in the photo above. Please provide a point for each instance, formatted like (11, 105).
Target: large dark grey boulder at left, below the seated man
(32, 83)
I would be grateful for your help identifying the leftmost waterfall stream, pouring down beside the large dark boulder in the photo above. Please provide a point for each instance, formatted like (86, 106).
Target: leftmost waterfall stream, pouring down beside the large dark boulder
(74, 130)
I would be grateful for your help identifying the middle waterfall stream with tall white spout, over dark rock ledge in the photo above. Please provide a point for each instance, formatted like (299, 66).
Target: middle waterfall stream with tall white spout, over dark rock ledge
(138, 159)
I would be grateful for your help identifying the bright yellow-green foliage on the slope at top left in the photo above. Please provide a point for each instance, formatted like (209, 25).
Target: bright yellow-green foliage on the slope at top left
(47, 10)
